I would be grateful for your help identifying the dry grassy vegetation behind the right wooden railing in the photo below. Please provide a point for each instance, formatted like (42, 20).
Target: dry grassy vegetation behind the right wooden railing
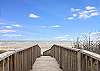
(88, 44)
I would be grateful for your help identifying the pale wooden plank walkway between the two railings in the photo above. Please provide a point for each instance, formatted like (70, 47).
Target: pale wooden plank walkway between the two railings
(46, 63)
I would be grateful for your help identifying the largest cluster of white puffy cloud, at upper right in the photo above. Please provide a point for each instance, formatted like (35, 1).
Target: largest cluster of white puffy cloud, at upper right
(88, 12)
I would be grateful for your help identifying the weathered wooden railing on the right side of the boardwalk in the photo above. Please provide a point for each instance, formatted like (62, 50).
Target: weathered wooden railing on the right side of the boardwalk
(72, 59)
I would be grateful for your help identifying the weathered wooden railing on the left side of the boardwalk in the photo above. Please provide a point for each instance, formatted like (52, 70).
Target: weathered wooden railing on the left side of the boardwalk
(19, 59)
